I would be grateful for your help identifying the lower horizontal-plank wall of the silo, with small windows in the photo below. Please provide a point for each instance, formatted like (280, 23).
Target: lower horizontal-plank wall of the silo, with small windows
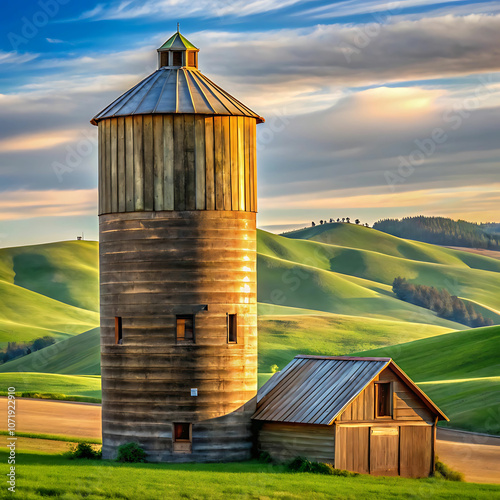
(154, 265)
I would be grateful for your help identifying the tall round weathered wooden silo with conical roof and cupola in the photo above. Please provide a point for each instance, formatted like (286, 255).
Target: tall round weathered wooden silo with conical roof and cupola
(177, 207)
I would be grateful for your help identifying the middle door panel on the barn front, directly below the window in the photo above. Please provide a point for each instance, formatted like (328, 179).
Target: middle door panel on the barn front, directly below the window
(384, 451)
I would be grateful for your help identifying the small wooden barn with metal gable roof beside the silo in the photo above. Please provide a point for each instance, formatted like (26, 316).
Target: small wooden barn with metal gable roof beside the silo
(360, 414)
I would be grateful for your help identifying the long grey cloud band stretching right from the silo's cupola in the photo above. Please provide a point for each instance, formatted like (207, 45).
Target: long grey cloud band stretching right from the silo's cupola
(345, 55)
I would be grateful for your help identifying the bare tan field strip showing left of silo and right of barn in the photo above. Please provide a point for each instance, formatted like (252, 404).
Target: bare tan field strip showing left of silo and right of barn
(477, 456)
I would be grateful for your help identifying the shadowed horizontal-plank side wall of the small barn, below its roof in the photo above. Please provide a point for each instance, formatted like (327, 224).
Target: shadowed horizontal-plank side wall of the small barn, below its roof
(285, 441)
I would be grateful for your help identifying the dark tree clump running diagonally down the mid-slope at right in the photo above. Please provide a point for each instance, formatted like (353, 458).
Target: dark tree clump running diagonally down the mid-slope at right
(446, 306)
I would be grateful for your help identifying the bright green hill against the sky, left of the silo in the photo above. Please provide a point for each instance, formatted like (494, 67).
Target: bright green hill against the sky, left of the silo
(48, 290)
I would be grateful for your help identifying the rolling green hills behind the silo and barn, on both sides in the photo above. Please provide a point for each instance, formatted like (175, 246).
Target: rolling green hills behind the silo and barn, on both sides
(323, 290)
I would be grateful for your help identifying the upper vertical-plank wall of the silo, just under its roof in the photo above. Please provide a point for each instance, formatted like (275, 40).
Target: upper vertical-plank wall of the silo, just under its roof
(180, 162)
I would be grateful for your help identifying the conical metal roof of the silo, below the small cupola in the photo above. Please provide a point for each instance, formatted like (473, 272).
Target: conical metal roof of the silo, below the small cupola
(180, 90)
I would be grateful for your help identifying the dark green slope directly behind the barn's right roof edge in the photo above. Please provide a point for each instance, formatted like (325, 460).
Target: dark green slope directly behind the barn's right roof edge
(459, 371)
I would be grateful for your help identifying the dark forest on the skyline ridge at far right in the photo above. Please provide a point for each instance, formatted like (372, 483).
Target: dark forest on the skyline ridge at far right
(443, 231)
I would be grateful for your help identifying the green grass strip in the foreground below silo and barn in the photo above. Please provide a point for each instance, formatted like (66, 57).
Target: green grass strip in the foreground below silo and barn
(41, 476)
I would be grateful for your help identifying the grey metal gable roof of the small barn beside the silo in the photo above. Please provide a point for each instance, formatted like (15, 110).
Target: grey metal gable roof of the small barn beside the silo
(316, 389)
